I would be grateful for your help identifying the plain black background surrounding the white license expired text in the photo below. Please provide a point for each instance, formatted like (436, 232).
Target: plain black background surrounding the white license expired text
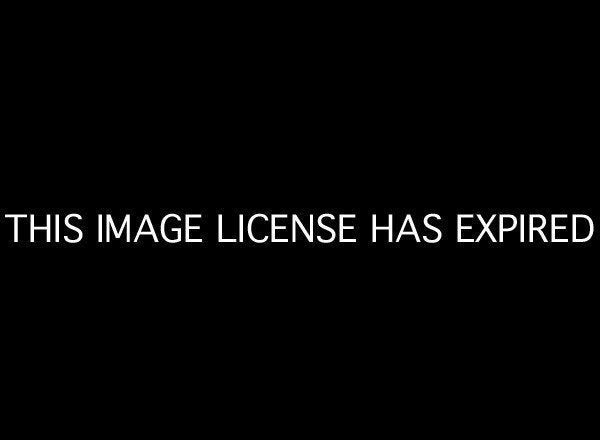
(368, 113)
